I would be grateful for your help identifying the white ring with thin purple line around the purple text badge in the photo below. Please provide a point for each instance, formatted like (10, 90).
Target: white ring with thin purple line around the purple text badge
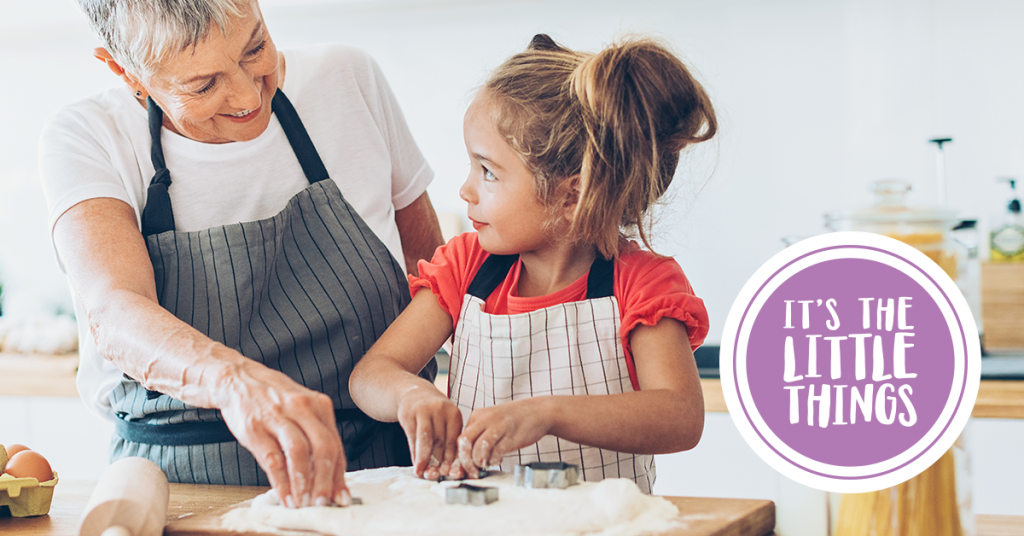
(951, 422)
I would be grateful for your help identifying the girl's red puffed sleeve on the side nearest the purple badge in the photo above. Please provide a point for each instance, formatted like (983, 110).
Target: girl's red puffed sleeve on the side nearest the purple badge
(651, 288)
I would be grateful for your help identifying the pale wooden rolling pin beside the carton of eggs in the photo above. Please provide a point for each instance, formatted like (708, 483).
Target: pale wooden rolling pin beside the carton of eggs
(131, 500)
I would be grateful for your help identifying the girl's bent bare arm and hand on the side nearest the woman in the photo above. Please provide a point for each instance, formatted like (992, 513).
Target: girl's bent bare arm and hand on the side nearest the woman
(386, 386)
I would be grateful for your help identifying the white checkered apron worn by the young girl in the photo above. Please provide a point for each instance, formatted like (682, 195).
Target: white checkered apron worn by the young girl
(570, 349)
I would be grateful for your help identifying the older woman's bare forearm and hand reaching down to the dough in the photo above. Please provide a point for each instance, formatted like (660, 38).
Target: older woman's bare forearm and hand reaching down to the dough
(289, 429)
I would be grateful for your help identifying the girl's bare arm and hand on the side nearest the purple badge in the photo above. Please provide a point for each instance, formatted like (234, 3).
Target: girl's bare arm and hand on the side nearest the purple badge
(666, 416)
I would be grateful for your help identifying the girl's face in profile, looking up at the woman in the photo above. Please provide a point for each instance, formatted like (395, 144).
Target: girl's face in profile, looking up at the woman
(503, 203)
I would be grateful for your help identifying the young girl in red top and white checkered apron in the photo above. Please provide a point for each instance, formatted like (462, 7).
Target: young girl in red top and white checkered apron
(571, 343)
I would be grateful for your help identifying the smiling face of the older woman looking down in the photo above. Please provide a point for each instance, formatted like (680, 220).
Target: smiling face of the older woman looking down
(221, 92)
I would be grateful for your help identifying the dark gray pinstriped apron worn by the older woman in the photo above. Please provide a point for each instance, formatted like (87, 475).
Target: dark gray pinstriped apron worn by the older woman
(306, 293)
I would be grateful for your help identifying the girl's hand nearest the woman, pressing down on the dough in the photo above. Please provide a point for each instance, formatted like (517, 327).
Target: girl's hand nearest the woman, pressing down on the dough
(433, 425)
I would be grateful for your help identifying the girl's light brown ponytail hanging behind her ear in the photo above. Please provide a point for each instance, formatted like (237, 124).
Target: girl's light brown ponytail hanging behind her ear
(641, 107)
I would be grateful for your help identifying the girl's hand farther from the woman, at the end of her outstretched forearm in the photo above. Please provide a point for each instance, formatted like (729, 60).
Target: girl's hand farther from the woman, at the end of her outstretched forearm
(494, 432)
